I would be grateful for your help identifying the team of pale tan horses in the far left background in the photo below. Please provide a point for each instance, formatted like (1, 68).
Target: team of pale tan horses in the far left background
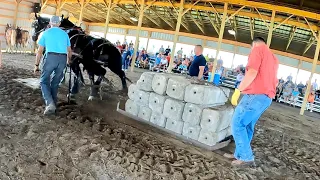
(16, 39)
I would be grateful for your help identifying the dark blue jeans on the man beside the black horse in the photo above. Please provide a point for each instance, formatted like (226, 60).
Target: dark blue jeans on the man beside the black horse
(51, 75)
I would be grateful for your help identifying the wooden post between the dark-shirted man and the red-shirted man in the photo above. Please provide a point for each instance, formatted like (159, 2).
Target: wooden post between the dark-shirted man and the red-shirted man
(223, 24)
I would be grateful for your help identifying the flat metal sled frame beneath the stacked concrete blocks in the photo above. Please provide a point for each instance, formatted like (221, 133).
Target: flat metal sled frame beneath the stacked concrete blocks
(217, 146)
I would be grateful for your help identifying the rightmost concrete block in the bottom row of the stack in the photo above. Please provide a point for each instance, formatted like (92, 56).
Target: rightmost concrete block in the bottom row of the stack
(211, 138)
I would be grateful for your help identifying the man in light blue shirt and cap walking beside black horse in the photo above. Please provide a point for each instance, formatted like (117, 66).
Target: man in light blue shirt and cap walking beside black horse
(57, 54)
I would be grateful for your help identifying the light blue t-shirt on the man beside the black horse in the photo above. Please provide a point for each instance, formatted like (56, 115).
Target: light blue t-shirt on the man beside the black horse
(55, 40)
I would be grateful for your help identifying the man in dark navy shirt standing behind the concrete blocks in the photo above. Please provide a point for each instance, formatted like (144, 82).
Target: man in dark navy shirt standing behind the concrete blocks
(198, 64)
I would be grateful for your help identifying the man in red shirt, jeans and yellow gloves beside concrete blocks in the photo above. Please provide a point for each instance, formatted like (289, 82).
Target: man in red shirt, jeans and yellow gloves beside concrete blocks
(258, 87)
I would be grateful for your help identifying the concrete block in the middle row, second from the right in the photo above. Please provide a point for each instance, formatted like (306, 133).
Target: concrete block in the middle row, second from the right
(192, 114)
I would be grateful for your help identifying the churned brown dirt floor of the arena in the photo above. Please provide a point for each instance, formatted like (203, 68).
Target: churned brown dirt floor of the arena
(91, 140)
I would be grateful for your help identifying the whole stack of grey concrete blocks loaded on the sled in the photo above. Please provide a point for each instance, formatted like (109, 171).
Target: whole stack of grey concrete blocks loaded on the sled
(173, 102)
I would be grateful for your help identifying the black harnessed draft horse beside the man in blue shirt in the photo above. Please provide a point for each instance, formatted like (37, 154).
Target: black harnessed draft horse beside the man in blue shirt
(92, 53)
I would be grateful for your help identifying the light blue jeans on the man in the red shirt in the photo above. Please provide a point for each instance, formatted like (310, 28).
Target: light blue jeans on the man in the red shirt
(246, 115)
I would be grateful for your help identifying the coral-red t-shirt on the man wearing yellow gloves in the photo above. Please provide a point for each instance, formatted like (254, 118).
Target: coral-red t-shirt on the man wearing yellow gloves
(266, 63)
